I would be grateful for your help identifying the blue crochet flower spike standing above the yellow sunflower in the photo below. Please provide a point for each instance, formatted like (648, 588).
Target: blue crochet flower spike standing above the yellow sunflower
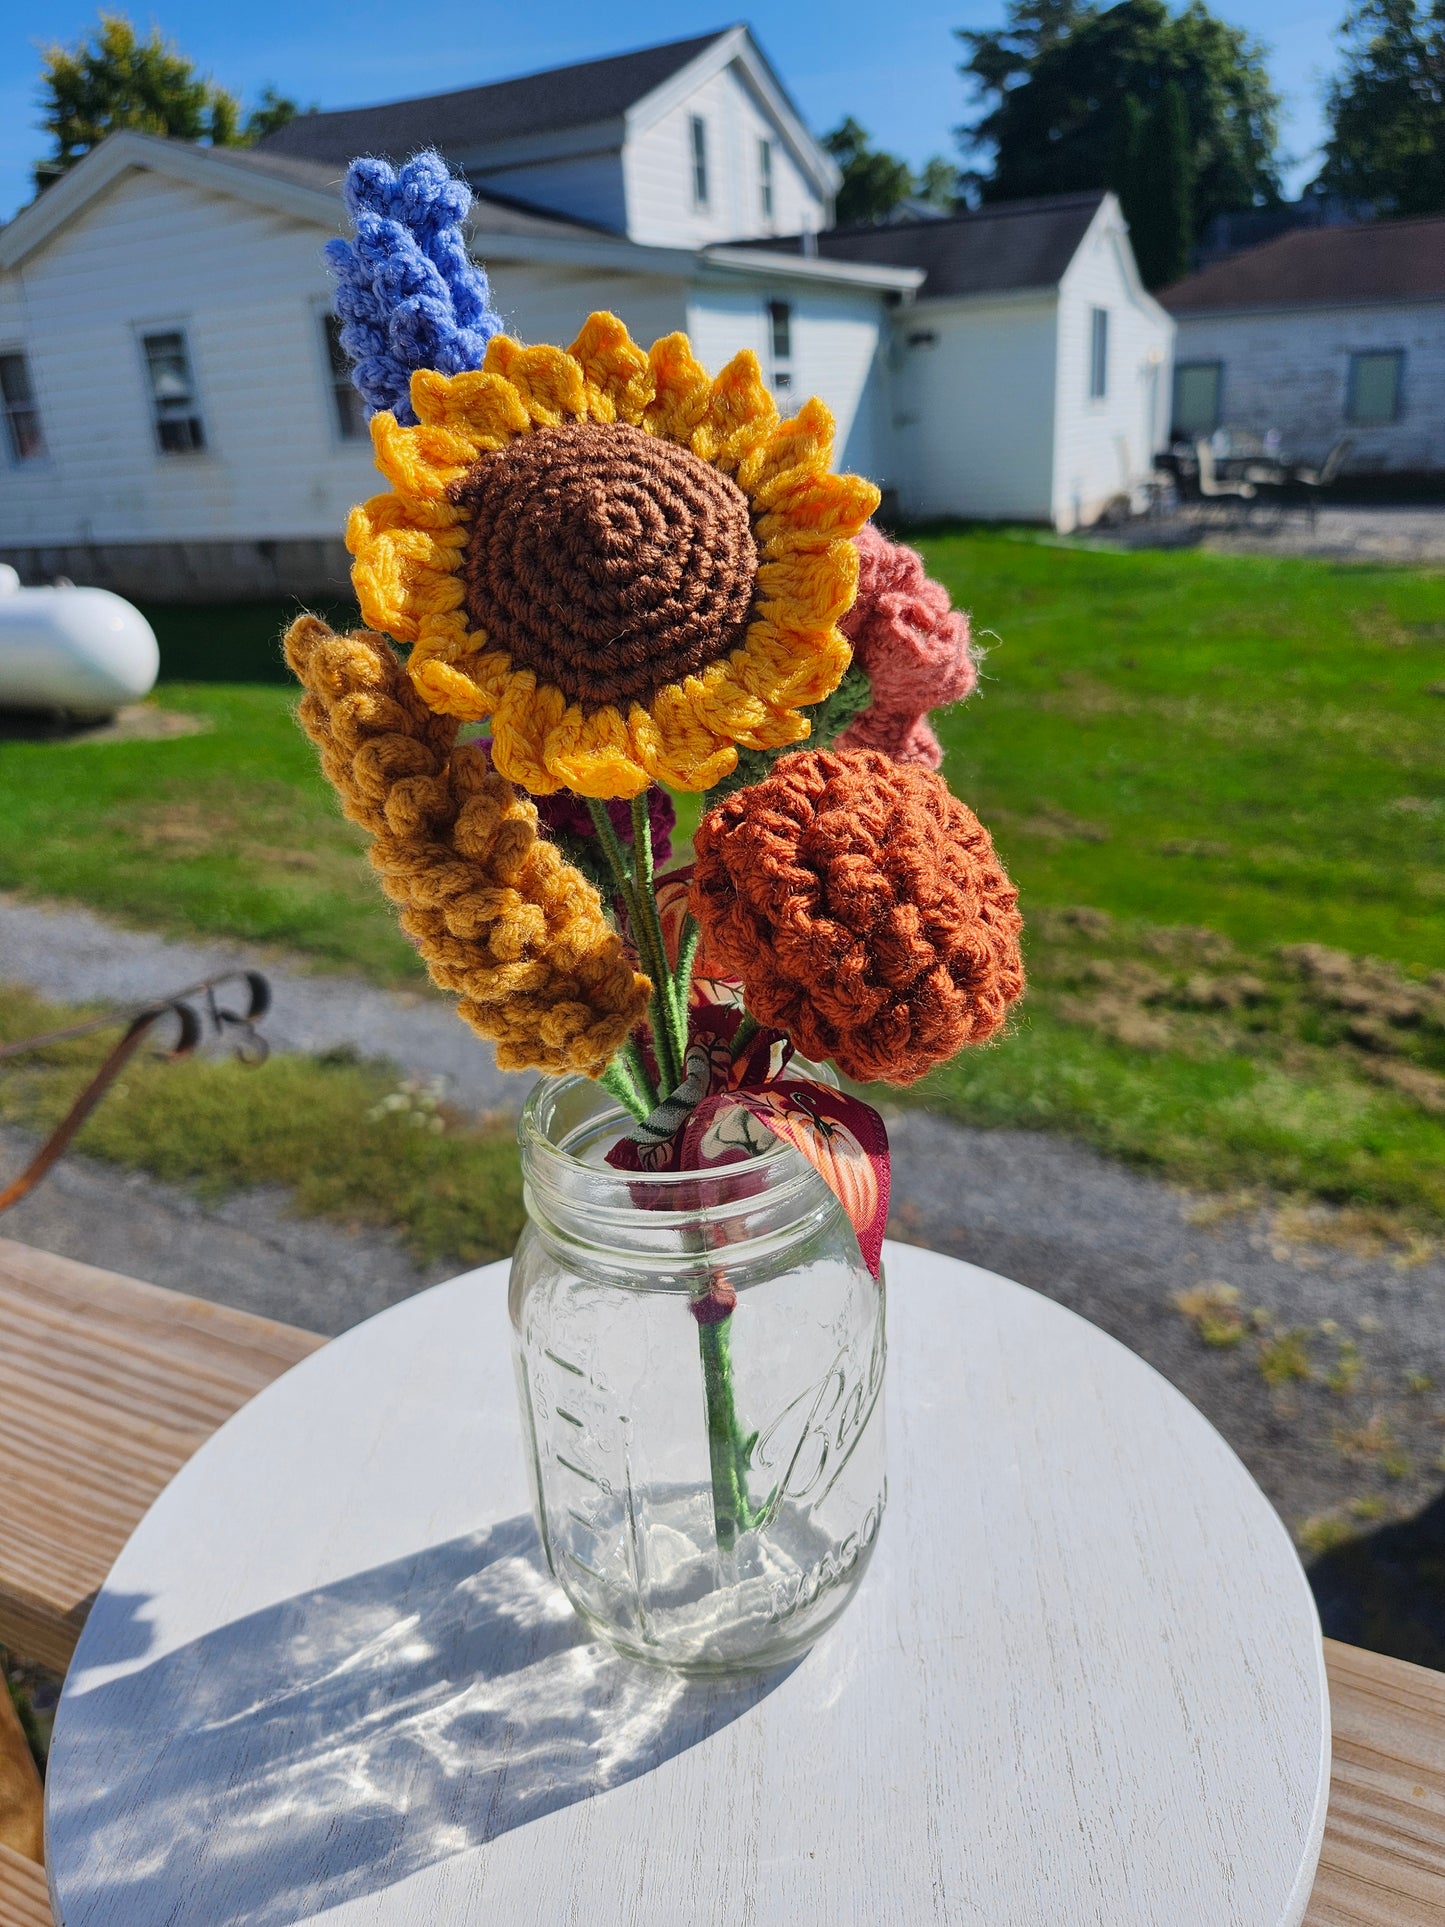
(409, 296)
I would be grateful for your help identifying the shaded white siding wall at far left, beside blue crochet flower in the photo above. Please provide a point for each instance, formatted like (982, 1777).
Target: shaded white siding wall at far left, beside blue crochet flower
(250, 290)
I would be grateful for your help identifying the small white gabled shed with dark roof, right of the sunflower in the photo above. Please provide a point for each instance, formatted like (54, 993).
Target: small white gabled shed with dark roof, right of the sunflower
(1032, 373)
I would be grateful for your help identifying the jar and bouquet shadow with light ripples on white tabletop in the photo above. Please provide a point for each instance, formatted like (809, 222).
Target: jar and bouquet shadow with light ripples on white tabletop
(330, 1747)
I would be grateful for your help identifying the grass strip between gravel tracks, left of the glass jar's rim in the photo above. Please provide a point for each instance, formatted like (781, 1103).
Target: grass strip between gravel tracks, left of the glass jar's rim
(354, 1142)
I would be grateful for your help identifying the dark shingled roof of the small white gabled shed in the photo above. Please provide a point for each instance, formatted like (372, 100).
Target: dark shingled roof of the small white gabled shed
(1016, 244)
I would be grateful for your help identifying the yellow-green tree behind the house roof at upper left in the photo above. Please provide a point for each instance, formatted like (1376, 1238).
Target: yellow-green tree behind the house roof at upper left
(115, 80)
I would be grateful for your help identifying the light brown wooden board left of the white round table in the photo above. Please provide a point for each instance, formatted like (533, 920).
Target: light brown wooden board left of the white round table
(107, 1388)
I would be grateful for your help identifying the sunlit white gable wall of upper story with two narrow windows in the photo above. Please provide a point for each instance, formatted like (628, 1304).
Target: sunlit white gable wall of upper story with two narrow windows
(658, 165)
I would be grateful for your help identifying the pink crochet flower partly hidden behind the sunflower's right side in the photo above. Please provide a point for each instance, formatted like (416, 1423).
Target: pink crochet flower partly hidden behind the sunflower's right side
(914, 648)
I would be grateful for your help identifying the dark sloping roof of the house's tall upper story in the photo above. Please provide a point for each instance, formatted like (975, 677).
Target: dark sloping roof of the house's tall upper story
(477, 117)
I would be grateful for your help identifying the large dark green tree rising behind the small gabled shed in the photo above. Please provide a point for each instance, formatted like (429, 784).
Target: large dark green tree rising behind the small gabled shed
(1055, 88)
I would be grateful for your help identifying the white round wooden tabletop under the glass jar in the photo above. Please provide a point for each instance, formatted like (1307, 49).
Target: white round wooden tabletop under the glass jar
(330, 1679)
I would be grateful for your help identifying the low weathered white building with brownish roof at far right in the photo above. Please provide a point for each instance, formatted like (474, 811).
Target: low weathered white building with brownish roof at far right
(1321, 336)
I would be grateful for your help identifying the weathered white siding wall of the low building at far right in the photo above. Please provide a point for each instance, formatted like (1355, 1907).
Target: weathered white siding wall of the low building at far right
(1292, 371)
